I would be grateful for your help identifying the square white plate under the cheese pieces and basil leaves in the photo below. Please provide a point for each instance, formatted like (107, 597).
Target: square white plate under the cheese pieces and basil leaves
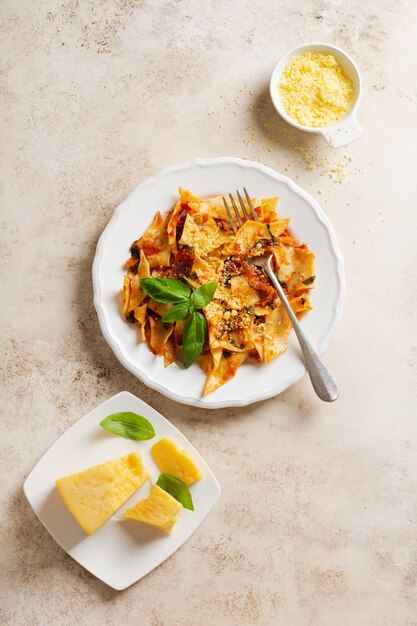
(121, 551)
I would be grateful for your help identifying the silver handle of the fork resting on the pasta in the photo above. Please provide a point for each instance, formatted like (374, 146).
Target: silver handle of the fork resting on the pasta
(323, 381)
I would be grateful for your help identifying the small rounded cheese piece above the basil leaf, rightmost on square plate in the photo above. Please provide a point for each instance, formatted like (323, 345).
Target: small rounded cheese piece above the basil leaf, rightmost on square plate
(172, 460)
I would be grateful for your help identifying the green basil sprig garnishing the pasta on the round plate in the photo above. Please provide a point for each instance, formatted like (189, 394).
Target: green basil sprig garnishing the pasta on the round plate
(186, 303)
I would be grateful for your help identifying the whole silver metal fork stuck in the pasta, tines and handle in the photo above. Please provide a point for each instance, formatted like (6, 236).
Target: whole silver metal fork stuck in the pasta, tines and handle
(323, 382)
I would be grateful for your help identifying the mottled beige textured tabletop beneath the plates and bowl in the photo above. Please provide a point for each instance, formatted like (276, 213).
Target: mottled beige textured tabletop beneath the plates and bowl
(317, 521)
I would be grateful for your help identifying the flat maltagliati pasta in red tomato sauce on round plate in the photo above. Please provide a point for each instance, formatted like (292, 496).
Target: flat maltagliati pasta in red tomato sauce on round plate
(245, 319)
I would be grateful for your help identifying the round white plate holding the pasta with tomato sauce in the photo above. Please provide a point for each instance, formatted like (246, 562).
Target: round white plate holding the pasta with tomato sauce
(209, 177)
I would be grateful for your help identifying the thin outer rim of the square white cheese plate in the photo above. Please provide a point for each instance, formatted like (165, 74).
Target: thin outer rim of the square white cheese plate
(28, 494)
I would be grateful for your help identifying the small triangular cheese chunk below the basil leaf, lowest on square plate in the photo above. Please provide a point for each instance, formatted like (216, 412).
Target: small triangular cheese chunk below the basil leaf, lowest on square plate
(159, 510)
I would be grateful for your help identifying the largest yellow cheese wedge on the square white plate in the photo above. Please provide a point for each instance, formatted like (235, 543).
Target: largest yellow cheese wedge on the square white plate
(92, 496)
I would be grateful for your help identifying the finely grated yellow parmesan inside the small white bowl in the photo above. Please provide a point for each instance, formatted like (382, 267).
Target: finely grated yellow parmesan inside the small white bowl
(314, 90)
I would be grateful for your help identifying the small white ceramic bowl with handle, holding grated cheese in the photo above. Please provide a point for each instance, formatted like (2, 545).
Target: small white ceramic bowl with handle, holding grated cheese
(345, 130)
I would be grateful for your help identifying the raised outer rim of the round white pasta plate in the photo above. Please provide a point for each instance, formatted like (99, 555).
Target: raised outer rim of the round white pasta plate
(207, 162)
